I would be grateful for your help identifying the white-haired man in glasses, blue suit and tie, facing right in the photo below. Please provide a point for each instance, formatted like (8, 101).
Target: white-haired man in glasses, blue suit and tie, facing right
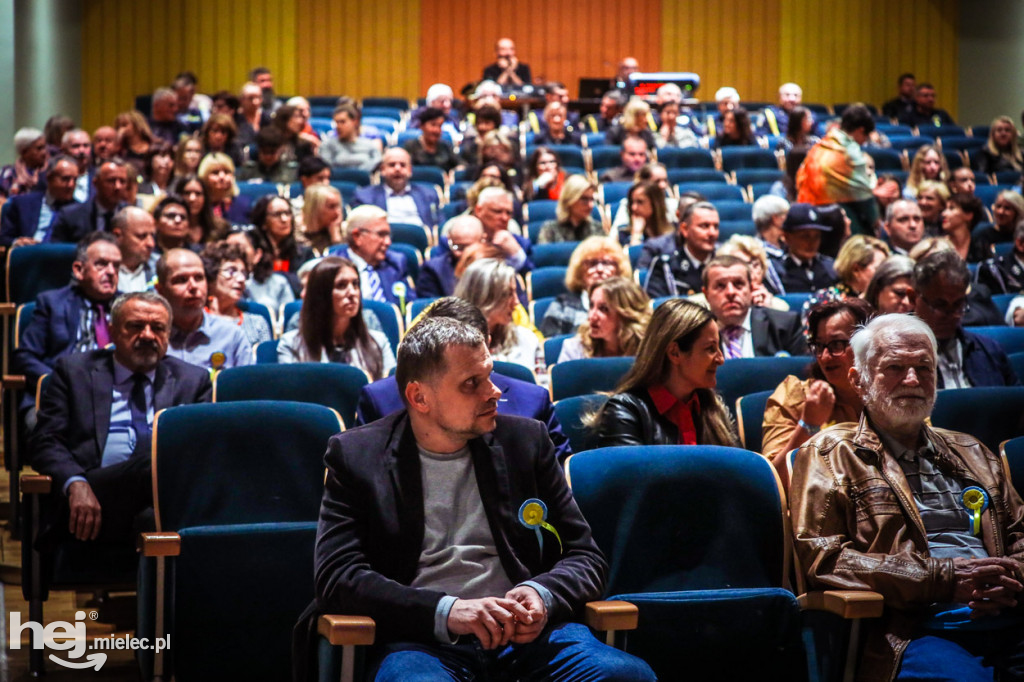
(369, 238)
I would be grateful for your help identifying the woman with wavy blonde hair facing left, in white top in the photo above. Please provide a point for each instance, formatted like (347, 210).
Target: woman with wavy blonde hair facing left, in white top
(619, 314)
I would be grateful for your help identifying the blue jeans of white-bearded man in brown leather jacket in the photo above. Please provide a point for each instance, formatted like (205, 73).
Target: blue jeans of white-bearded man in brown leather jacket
(965, 657)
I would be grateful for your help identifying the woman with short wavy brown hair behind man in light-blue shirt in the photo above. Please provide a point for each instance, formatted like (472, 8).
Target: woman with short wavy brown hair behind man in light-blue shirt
(227, 274)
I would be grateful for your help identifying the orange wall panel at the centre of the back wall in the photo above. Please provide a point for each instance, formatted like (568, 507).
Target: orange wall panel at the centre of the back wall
(562, 41)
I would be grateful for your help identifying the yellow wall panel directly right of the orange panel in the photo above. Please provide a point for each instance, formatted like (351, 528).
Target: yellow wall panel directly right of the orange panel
(727, 42)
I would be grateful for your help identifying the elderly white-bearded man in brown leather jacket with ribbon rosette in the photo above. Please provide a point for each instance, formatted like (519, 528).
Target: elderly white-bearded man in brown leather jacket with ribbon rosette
(923, 516)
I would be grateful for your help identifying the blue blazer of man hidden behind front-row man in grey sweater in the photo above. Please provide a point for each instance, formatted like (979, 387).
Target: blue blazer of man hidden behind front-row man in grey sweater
(519, 399)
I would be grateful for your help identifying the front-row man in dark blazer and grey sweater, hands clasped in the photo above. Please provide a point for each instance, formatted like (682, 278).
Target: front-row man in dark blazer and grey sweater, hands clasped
(425, 527)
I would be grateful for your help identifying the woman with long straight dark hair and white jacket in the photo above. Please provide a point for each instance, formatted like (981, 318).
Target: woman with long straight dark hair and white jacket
(331, 325)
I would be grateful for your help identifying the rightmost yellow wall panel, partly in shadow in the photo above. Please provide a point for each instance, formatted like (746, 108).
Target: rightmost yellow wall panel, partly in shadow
(845, 51)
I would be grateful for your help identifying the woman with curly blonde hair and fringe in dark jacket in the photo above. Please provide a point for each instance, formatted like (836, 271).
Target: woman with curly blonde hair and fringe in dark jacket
(594, 261)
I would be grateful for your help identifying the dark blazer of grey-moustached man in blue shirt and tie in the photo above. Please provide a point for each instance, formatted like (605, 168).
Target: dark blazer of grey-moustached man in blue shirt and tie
(75, 413)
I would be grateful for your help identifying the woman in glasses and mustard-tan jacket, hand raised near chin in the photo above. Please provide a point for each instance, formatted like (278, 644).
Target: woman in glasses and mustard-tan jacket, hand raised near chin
(800, 408)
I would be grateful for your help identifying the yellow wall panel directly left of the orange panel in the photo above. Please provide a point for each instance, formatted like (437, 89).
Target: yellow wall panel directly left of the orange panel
(359, 48)
